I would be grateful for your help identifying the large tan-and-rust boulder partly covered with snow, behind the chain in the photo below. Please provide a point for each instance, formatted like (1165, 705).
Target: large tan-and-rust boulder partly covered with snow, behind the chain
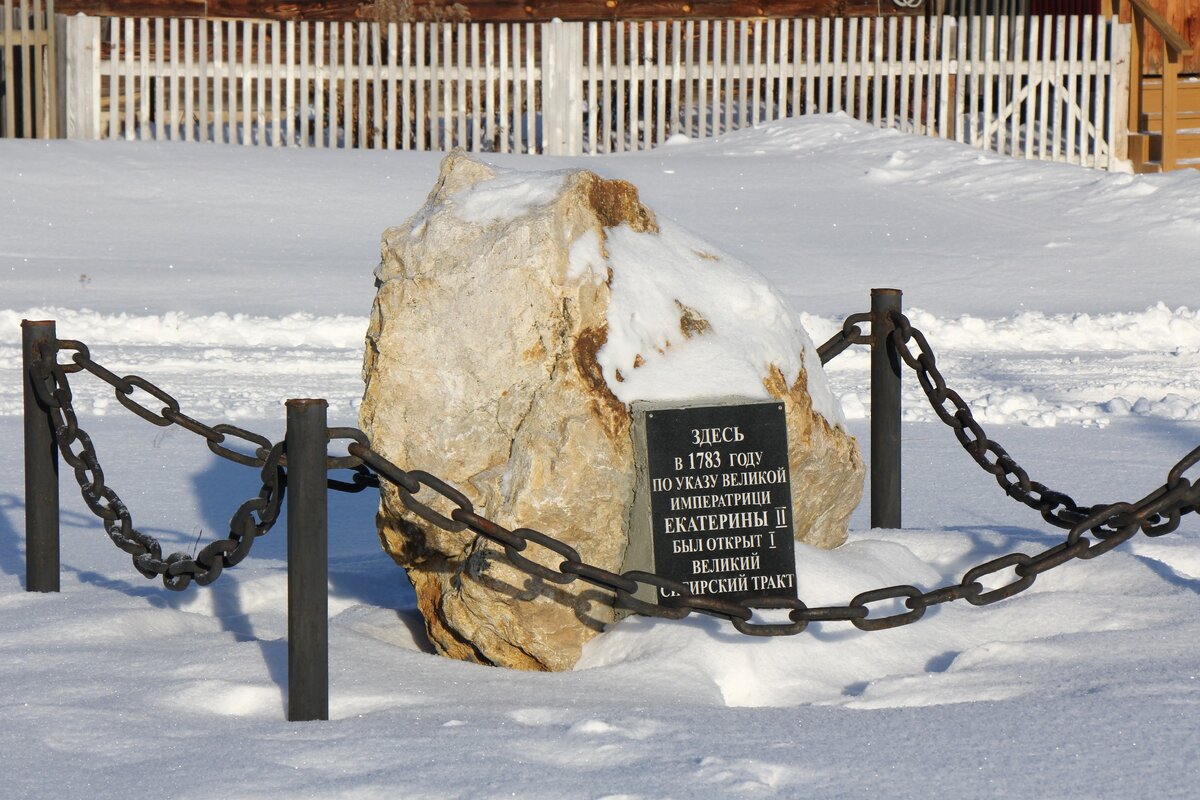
(518, 317)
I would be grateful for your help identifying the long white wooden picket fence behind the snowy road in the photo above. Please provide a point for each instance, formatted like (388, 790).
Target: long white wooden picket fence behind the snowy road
(1037, 88)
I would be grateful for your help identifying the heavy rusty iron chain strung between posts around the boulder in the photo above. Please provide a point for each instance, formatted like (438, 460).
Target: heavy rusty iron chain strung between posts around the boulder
(1157, 514)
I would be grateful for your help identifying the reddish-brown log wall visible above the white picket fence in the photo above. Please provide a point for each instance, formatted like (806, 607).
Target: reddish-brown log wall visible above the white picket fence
(490, 10)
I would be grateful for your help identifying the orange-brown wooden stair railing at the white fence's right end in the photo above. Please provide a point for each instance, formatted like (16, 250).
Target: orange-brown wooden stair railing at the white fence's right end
(1175, 47)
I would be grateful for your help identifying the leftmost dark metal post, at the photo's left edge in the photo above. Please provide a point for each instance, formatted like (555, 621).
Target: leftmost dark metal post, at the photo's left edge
(39, 344)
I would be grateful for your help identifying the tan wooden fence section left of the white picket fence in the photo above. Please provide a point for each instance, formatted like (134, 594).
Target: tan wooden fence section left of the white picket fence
(28, 70)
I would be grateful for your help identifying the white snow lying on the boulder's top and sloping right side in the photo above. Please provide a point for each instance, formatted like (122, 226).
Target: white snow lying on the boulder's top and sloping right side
(687, 322)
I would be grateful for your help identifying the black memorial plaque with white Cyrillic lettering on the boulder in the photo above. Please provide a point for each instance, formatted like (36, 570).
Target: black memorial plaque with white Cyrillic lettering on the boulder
(721, 500)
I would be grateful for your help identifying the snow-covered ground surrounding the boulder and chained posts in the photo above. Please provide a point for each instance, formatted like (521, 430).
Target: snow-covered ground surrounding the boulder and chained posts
(1061, 303)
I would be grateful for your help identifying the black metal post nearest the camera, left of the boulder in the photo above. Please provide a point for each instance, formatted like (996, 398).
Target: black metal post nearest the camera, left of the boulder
(308, 562)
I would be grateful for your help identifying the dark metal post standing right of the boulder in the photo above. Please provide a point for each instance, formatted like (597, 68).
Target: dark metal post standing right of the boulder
(885, 412)
